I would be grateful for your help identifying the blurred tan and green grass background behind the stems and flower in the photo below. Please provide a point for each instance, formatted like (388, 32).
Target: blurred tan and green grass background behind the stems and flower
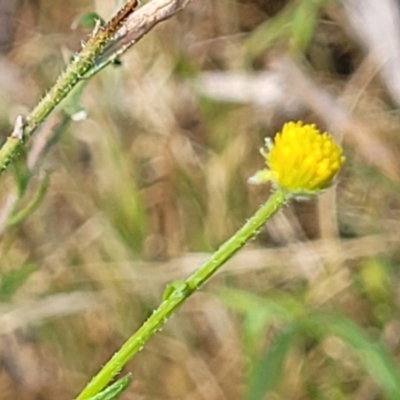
(100, 214)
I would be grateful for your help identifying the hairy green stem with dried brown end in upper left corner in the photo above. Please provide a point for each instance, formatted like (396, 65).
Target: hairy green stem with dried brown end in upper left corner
(120, 33)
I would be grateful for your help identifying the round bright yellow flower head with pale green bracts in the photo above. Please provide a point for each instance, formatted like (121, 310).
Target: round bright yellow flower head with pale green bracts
(302, 160)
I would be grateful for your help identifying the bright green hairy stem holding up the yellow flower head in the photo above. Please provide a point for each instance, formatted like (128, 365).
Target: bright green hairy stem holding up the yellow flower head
(160, 316)
